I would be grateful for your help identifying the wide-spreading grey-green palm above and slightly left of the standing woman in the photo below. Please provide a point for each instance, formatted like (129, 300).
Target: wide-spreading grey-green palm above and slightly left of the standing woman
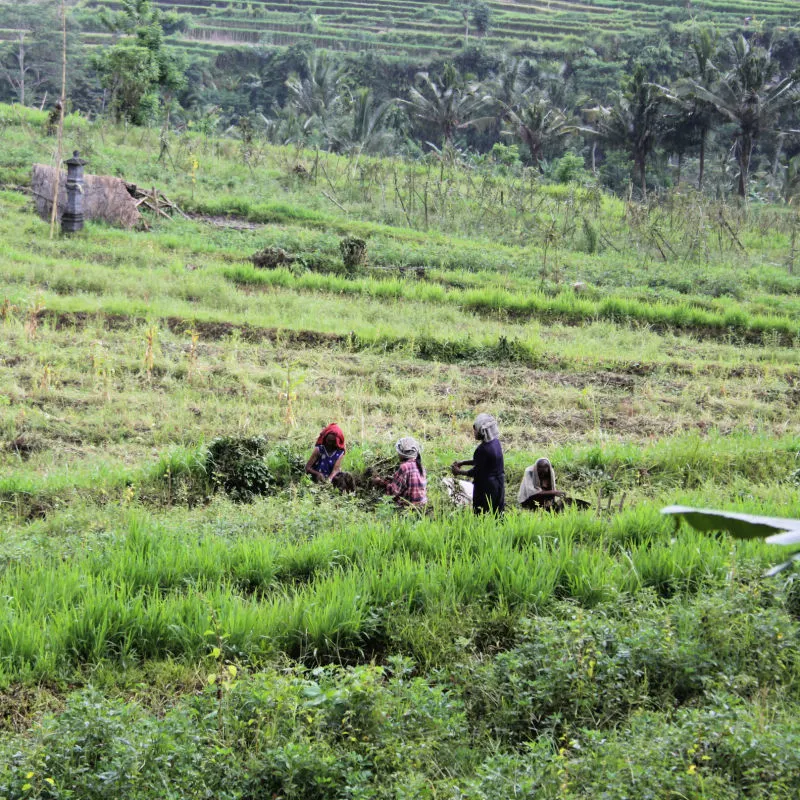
(447, 106)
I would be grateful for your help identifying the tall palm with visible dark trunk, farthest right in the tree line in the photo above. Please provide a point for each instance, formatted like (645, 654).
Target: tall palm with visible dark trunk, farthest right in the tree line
(750, 95)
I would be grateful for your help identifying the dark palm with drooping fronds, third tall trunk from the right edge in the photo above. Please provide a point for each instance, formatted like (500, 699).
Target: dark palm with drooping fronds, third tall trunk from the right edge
(632, 121)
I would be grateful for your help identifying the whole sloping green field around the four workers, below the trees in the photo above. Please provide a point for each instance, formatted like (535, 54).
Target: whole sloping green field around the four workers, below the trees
(157, 639)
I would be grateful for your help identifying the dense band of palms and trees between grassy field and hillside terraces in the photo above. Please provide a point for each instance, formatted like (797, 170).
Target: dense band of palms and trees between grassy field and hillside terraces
(630, 119)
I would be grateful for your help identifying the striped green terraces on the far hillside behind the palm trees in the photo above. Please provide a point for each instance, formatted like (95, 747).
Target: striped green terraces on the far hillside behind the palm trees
(424, 29)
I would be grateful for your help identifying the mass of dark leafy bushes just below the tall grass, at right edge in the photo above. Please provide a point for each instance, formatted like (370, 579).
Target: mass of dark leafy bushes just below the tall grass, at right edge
(594, 670)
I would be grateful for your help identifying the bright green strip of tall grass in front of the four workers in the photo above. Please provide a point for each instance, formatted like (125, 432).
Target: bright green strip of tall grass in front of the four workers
(155, 593)
